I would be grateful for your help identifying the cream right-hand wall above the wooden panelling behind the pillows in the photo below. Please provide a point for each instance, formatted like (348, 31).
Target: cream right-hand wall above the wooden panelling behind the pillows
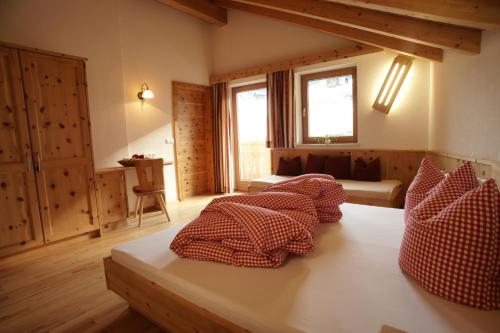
(465, 113)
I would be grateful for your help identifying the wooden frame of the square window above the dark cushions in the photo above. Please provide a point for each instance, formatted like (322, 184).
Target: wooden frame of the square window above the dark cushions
(306, 139)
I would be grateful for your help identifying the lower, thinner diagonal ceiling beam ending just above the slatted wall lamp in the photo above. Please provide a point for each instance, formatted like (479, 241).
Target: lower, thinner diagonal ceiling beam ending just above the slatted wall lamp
(359, 35)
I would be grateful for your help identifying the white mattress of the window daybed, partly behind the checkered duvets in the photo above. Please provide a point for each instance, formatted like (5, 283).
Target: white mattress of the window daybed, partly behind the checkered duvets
(387, 189)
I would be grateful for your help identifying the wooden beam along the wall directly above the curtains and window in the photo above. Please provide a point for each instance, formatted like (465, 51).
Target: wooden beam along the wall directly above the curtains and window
(311, 59)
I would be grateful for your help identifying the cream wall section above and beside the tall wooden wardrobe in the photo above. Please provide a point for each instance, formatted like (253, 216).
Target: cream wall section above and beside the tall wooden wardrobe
(64, 26)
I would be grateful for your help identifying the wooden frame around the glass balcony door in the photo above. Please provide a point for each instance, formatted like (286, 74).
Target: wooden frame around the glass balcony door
(240, 185)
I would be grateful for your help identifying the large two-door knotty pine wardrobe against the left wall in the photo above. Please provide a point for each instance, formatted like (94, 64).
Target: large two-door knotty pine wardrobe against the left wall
(47, 190)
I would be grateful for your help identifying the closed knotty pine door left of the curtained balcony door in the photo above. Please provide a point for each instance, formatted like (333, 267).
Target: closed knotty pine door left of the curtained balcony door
(193, 139)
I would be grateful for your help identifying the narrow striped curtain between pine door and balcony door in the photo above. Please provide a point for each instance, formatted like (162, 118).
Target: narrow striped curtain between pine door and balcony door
(221, 137)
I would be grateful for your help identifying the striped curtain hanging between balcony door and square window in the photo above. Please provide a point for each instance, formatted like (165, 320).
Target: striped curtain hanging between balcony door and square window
(280, 111)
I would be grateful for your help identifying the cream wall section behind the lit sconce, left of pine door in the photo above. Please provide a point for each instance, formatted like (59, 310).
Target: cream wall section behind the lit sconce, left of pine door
(159, 45)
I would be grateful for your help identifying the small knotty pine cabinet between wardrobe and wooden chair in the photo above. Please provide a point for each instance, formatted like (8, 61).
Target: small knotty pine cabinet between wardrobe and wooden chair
(113, 199)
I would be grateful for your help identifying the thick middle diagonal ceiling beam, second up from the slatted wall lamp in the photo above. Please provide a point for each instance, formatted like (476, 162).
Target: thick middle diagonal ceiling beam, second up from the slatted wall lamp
(409, 28)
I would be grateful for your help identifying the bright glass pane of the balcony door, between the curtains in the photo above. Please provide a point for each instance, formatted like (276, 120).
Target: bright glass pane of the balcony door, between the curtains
(254, 157)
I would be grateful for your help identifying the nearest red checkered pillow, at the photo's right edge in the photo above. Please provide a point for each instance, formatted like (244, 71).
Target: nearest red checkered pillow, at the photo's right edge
(456, 253)
